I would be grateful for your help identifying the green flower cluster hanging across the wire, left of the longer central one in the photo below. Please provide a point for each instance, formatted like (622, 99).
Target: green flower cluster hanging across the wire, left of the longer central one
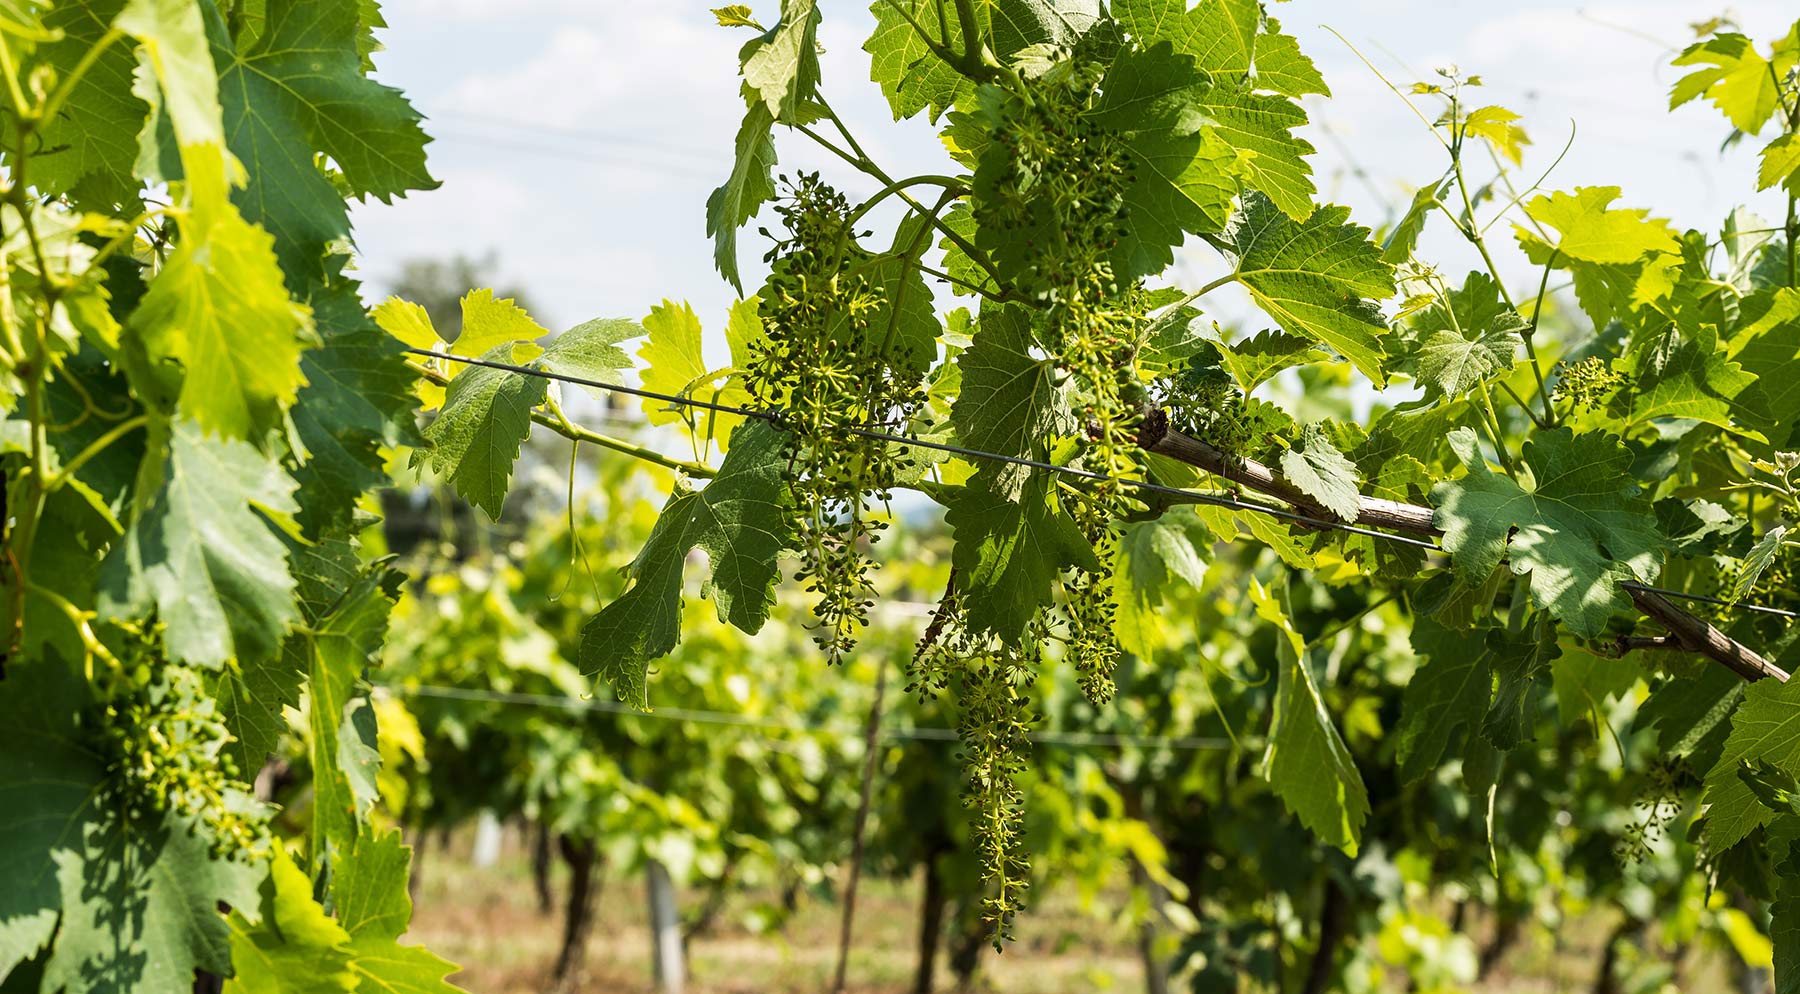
(827, 374)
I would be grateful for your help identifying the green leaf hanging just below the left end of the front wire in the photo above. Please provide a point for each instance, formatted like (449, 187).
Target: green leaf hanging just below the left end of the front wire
(478, 435)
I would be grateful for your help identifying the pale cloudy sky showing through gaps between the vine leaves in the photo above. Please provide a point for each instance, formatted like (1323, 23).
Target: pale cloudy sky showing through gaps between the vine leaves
(579, 140)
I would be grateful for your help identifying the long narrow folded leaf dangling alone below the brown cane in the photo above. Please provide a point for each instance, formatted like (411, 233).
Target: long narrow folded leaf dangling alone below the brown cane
(1308, 763)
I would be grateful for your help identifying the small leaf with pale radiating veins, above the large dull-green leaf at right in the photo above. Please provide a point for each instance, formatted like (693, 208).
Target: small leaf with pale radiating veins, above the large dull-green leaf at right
(1468, 339)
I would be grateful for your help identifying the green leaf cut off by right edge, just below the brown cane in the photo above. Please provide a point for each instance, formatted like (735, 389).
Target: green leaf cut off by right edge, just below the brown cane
(1765, 730)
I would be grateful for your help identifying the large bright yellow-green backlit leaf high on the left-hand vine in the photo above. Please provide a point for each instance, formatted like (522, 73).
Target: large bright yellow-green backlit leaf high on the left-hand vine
(220, 314)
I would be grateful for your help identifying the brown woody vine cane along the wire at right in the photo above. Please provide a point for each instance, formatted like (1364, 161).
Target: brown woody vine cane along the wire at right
(1686, 631)
